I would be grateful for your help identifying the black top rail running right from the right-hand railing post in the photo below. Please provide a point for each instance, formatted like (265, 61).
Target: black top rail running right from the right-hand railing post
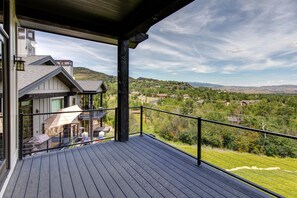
(250, 129)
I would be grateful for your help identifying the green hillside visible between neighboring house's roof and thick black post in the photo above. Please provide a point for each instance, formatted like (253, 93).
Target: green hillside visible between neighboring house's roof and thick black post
(81, 73)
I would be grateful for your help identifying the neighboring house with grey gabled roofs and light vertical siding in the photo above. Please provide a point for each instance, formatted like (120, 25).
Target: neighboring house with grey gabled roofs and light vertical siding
(46, 87)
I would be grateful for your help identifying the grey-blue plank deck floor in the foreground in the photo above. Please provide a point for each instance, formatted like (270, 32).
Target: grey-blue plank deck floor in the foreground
(141, 167)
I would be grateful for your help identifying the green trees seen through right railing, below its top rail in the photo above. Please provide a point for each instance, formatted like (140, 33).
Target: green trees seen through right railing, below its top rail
(185, 130)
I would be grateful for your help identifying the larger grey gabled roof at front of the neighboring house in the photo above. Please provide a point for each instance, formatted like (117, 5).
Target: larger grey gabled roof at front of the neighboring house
(35, 75)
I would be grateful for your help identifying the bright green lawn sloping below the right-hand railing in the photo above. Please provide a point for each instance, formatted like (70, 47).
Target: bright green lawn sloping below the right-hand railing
(280, 178)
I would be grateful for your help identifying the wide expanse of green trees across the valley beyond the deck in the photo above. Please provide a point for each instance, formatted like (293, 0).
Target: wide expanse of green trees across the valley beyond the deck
(270, 112)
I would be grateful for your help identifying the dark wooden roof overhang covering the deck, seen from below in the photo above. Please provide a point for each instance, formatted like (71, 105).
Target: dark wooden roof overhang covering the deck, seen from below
(98, 20)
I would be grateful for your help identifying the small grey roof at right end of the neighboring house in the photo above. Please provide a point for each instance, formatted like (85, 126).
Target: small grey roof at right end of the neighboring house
(90, 86)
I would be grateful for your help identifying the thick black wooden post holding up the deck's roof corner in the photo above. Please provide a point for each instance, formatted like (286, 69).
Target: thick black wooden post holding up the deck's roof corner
(123, 90)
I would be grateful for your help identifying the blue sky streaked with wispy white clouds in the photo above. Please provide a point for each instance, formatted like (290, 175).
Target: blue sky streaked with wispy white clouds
(228, 42)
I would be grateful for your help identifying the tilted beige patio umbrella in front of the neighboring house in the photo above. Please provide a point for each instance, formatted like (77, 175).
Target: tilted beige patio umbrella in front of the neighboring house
(62, 118)
